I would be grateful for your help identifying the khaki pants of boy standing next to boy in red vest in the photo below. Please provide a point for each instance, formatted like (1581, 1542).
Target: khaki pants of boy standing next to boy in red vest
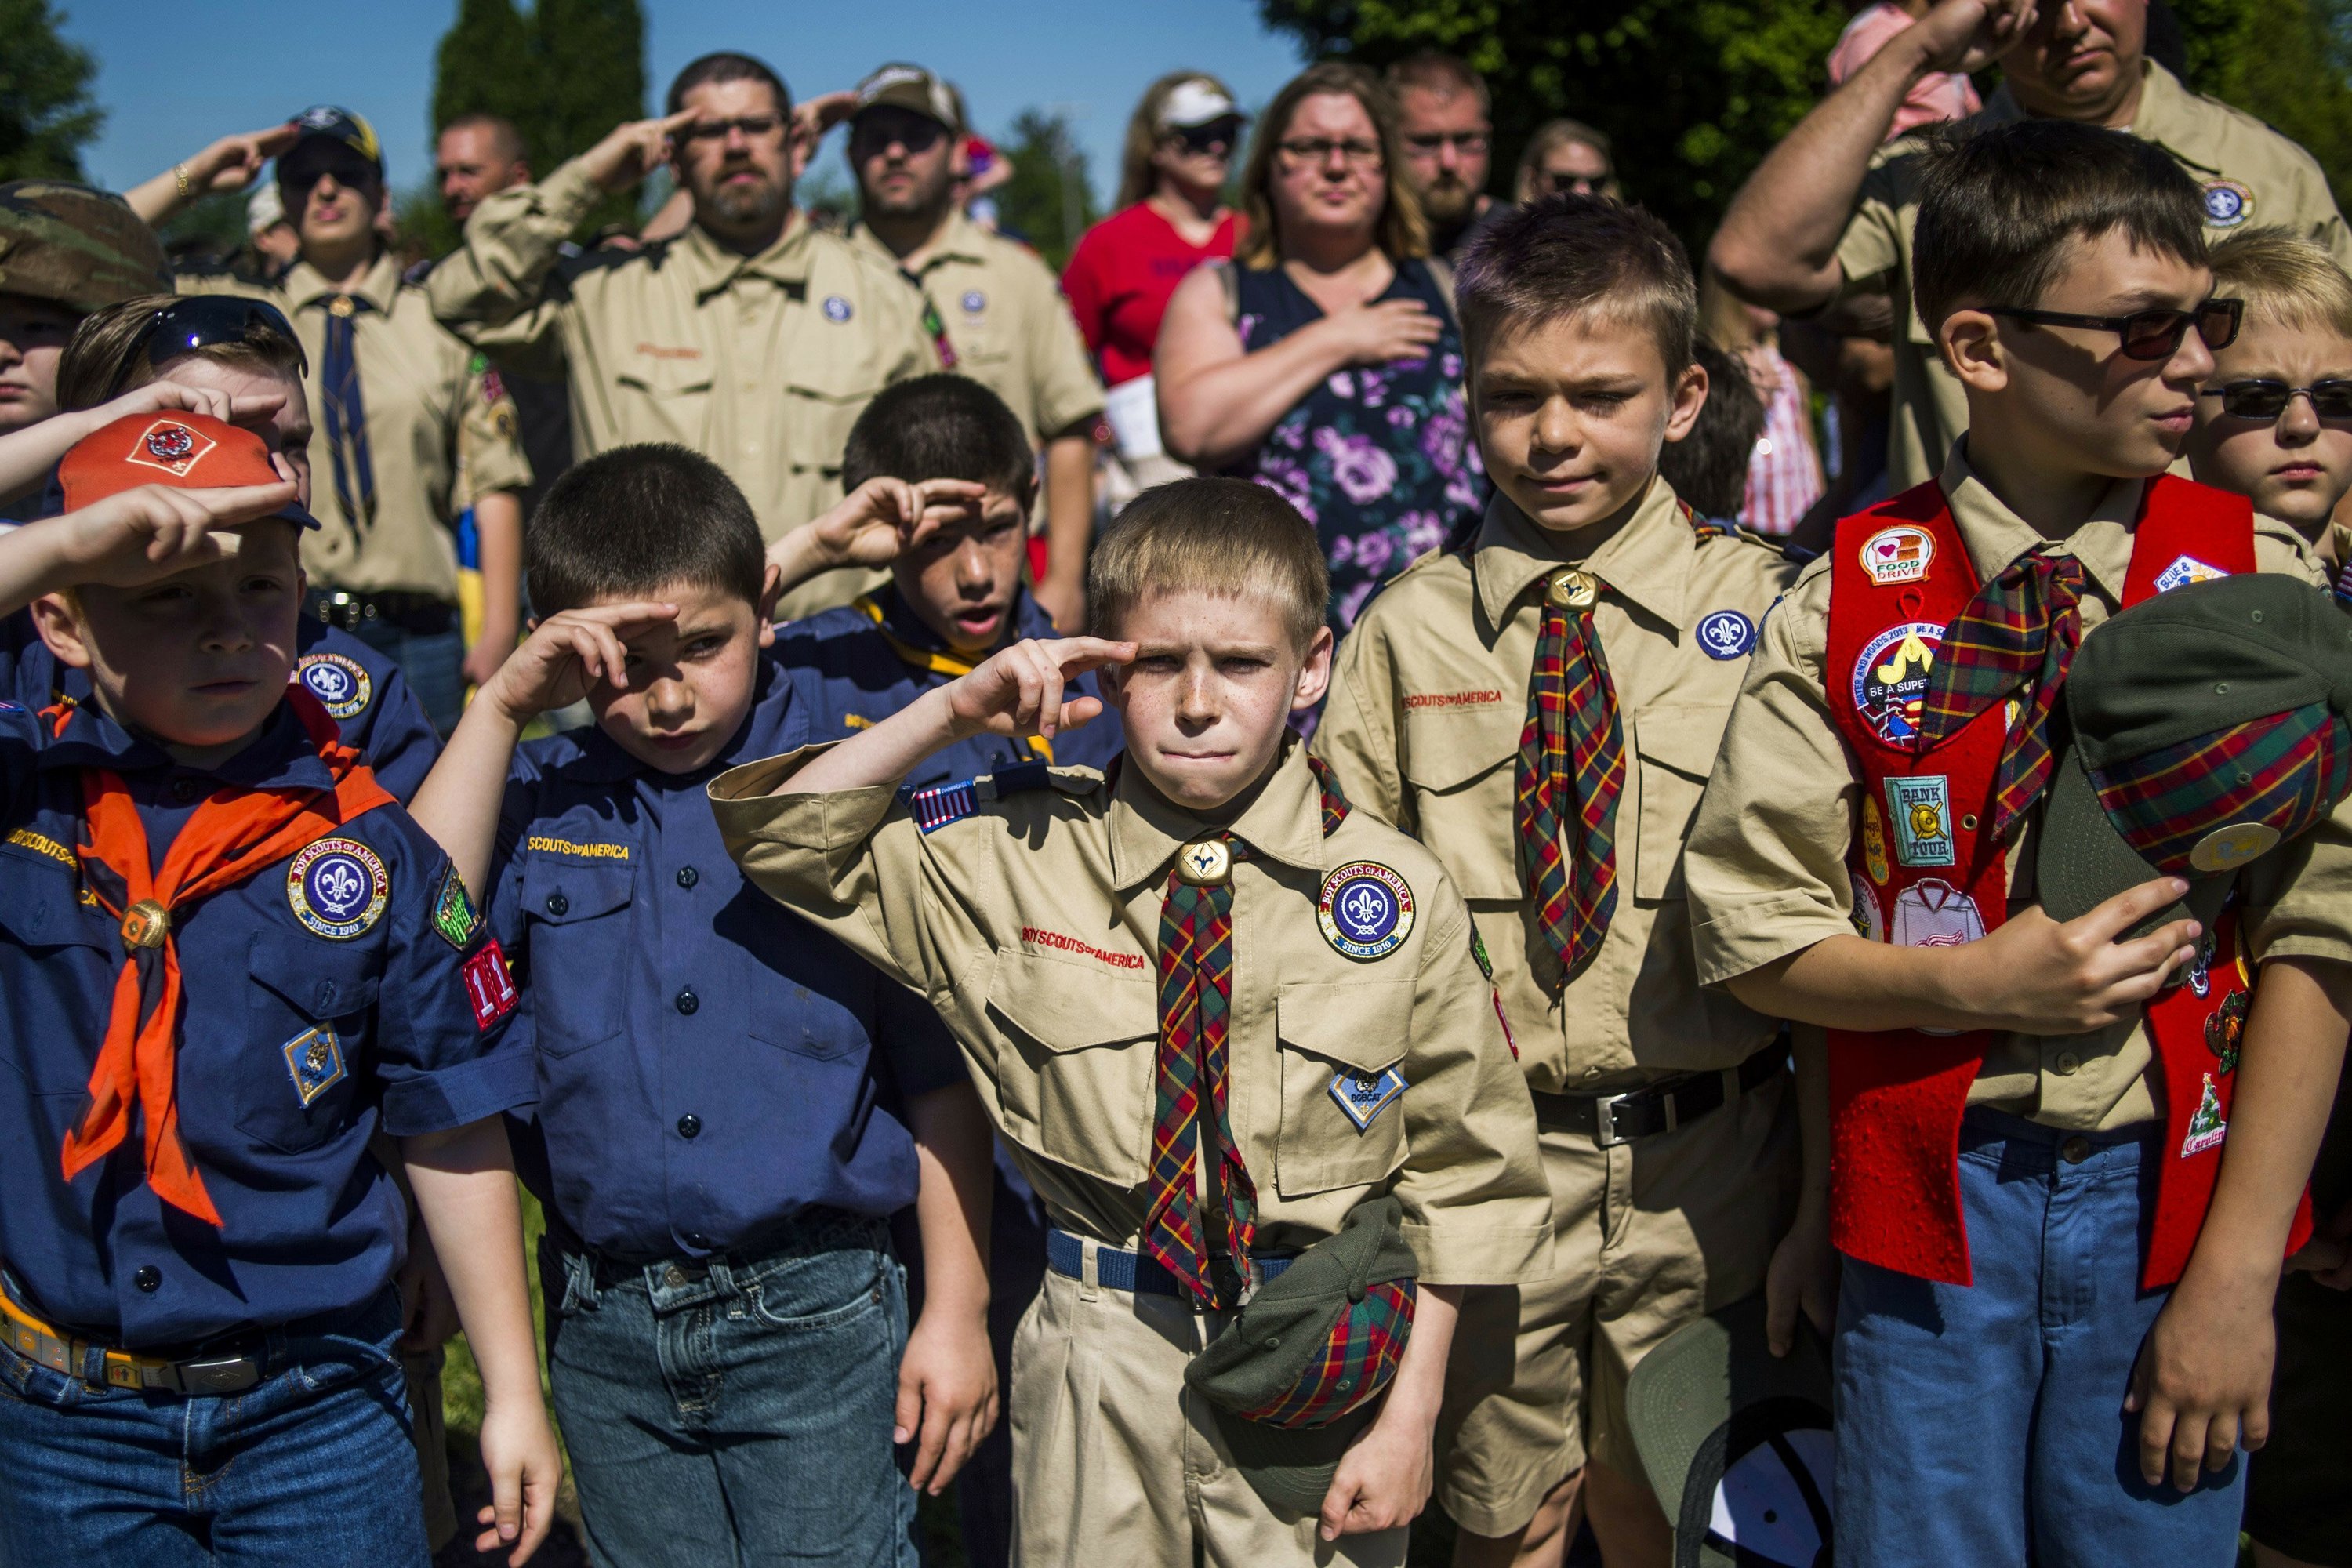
(1648, 1238)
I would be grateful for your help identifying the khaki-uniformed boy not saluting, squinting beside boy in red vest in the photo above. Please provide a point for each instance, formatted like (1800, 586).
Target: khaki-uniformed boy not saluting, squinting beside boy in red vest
(1542, 711)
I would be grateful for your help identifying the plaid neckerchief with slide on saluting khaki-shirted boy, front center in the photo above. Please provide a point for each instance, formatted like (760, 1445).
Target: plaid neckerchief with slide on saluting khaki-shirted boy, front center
(1194, 1076)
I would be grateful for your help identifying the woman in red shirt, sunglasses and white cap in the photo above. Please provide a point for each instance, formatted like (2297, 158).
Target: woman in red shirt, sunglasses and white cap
(1172, 217)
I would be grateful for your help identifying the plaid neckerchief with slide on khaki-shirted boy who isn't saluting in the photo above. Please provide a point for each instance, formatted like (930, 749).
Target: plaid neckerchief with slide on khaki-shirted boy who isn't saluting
(1572, 770)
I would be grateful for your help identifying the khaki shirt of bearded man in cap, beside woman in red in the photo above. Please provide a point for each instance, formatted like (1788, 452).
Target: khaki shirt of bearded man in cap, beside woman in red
(1008, 323)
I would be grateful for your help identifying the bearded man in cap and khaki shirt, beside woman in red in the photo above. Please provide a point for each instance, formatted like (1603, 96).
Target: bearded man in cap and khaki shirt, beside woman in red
(994, 304)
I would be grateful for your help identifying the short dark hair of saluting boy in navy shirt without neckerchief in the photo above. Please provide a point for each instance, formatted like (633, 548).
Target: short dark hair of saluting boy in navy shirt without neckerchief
(641, 518)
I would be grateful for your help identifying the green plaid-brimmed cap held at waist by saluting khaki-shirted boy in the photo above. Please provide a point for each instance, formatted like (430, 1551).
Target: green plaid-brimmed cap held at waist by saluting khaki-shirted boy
(1276, 1358)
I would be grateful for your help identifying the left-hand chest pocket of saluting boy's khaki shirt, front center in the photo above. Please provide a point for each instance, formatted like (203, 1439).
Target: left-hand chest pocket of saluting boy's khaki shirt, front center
(1076, 1064)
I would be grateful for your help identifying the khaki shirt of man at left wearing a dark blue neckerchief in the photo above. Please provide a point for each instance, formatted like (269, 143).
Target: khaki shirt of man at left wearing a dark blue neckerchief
(427, 410)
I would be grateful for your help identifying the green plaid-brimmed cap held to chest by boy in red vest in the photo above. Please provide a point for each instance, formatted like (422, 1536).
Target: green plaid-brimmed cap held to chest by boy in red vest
(2207, 730)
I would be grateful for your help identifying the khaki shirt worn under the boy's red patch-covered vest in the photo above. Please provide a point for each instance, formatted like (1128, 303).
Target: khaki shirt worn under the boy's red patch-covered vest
(1768, 859)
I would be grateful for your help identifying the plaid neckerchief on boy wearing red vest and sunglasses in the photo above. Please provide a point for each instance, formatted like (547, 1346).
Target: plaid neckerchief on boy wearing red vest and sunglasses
(2014, 638)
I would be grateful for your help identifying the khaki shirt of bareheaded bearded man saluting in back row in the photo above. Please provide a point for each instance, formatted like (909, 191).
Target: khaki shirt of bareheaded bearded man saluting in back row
(761, 363)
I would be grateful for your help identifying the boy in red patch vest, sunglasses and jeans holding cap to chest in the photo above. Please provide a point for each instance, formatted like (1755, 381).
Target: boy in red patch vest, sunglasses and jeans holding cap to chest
(2054, 1313)
